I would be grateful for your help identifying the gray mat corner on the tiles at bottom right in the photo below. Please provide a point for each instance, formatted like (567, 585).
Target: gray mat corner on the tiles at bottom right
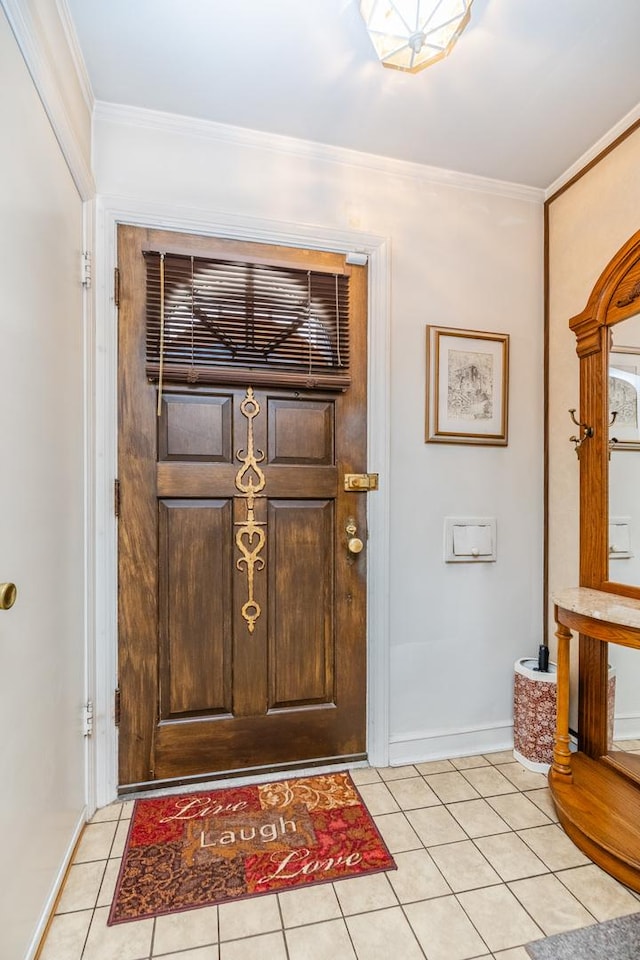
(612, 940)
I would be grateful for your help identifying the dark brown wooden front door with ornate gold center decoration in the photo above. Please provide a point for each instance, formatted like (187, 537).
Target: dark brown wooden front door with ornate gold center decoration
(242, 613)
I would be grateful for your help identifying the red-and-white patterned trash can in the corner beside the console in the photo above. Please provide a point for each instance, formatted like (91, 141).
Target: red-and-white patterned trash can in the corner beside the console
(534, 714)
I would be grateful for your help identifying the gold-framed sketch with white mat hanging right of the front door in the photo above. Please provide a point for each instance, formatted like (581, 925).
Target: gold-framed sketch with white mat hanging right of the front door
(467, 386)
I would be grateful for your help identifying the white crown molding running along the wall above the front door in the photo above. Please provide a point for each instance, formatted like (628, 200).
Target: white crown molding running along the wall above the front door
(180, 125)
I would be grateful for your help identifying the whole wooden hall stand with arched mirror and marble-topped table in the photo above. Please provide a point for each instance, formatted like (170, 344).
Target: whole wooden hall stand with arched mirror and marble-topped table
(596, 790)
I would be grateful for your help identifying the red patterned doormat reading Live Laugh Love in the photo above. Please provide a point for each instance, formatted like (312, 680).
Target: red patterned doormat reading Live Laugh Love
(199, 849)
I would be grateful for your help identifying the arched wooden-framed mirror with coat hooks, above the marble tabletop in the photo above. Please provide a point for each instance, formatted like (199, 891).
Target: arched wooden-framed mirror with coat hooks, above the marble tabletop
(608, 344)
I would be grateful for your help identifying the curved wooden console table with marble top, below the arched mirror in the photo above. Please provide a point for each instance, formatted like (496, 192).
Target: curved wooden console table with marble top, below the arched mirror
(597, 798)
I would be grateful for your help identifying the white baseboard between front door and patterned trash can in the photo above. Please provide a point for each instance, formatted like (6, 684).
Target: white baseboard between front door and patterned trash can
(442, 744)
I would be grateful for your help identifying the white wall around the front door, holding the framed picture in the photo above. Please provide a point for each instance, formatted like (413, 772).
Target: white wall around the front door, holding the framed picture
(465, 253)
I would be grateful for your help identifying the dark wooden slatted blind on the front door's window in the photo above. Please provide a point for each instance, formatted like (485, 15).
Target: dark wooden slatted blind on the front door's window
(216, 321)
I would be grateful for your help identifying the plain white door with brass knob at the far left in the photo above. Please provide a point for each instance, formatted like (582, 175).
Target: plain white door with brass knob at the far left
(42, 764)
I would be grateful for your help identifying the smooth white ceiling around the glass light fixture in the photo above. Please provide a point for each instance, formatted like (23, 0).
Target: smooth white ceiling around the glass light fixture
(530, 86)
